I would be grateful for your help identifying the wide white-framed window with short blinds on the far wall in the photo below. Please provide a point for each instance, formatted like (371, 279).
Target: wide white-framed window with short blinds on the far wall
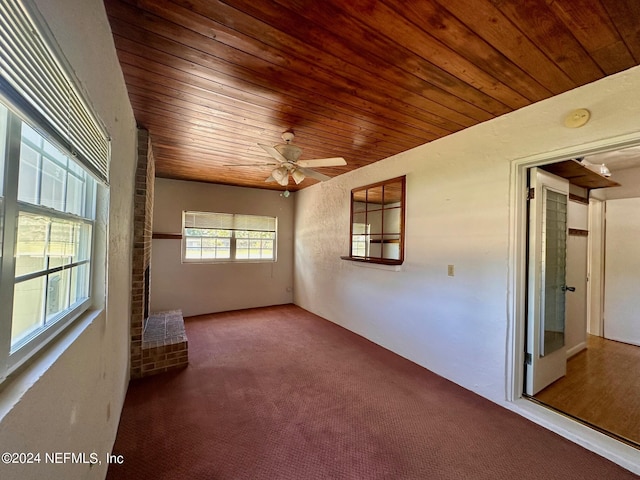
(226, 237)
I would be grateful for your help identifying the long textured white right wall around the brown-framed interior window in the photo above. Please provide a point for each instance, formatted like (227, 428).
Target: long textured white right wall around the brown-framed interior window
(457, 213)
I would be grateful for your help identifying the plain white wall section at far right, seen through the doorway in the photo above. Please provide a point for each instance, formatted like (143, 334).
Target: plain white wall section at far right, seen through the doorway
(622, 271)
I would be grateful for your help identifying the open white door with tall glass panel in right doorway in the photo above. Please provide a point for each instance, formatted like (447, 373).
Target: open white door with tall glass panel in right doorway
(546, 289)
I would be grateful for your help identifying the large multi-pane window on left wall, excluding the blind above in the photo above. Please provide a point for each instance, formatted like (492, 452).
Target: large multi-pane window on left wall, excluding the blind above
(48, 207)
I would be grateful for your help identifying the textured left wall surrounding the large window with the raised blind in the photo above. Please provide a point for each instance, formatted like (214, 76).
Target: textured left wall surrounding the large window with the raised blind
(70, 399)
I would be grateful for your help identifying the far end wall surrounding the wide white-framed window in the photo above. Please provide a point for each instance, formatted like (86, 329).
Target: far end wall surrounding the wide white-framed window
(208, 288)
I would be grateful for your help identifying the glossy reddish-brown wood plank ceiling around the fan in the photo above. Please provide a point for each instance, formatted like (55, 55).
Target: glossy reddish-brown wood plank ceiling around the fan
(361, 79)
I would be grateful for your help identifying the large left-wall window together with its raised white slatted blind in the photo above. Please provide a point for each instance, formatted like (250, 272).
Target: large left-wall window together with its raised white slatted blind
(53, 152)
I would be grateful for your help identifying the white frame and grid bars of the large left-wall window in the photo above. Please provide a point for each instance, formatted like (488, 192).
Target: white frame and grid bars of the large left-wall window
(11, 207)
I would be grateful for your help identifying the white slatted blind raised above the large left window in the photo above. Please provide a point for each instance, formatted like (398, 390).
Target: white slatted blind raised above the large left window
(33, 76)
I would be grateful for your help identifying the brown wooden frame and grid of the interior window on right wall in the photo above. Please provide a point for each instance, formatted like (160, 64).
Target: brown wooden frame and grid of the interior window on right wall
(368, 193)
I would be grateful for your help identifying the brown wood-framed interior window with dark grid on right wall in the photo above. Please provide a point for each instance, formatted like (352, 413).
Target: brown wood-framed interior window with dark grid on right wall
(377, 223)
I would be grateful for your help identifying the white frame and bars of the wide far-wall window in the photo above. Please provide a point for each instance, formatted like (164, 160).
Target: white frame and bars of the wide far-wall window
(233, 238)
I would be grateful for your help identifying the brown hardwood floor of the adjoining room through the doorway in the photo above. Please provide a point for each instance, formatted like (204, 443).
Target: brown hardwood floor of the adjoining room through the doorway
(602, 387)
